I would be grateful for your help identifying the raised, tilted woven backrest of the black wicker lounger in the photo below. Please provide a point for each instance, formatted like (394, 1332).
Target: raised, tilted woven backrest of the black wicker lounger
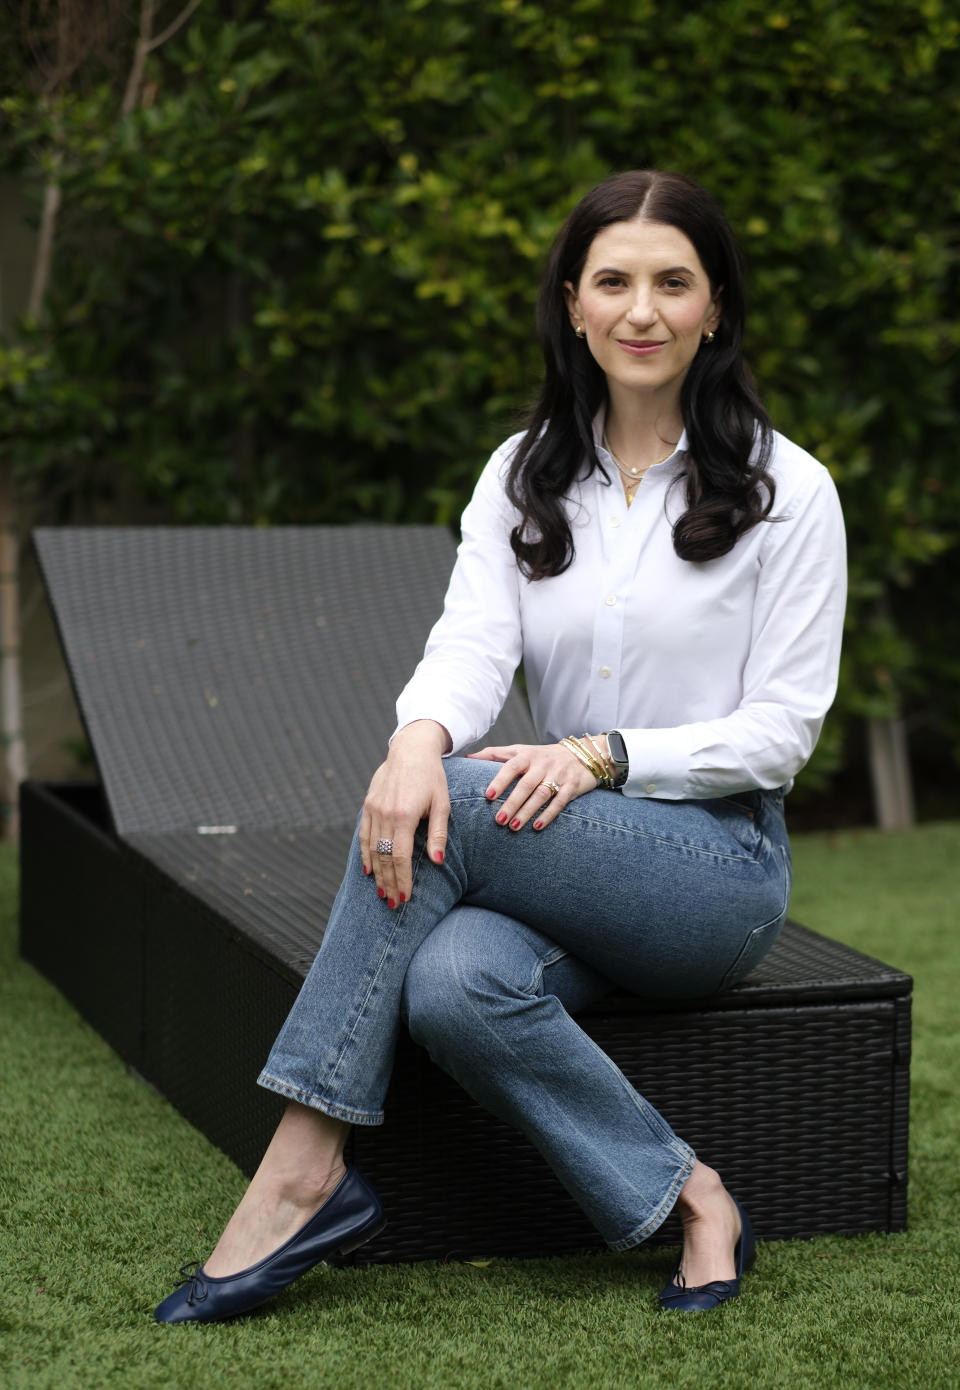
(244, 676)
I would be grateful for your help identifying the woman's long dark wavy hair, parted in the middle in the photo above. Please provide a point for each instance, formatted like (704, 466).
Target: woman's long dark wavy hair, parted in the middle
(729, 489)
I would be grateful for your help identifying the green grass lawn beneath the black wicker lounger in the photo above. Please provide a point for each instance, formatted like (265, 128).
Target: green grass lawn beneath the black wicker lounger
(105, 1191)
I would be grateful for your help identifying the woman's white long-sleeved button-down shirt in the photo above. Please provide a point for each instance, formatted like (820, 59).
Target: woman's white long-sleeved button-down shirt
(719, 675)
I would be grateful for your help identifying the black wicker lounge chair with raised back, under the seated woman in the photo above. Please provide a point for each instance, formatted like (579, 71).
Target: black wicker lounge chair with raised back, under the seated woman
(238, 689)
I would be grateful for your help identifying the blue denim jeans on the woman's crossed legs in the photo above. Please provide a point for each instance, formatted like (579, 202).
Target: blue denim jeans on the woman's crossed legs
(498, 945)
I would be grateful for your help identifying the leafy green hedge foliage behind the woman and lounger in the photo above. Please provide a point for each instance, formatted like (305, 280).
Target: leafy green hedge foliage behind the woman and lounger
(297, 281)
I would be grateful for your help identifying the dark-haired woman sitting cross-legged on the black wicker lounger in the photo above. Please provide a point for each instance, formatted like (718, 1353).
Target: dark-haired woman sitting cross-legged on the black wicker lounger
(672, 575)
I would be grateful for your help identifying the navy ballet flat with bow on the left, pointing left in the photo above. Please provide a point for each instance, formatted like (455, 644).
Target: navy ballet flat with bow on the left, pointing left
(349, 1217)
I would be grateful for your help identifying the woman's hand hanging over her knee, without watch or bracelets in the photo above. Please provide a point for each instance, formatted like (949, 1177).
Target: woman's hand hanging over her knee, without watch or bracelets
(405, 790)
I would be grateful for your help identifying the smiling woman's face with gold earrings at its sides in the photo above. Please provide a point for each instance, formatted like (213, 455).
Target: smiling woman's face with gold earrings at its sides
(647, 305)
